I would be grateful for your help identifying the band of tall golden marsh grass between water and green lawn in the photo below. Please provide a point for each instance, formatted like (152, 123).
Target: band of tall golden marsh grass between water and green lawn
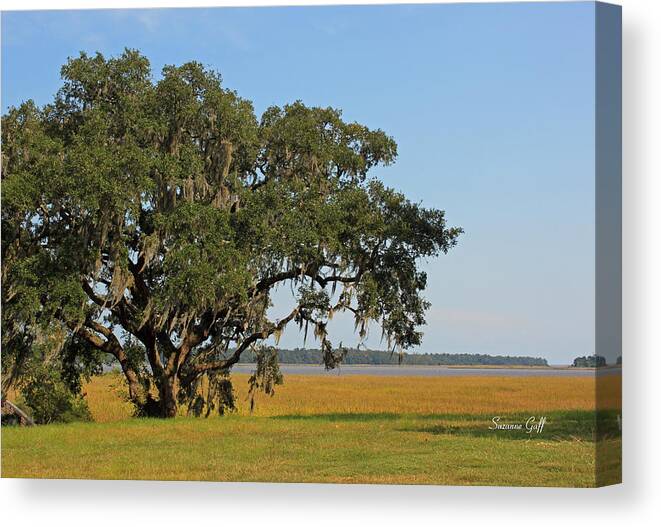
(364, 394)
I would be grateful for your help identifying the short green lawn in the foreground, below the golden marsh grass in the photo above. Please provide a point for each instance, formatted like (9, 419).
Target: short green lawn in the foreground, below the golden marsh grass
(369, 448)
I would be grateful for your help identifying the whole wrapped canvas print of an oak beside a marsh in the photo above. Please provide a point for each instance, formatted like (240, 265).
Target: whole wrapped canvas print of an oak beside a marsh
(342, 244)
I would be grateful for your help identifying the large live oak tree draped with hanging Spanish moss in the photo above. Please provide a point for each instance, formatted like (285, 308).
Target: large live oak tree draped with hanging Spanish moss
(151, 220)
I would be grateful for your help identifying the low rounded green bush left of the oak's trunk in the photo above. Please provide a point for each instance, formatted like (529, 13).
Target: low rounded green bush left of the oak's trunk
(49, 399)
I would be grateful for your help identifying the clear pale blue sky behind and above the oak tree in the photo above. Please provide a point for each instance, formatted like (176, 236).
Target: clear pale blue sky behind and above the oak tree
(492, 106)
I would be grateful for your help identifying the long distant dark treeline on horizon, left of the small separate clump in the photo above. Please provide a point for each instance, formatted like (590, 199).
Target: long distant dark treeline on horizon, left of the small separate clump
(362, 356)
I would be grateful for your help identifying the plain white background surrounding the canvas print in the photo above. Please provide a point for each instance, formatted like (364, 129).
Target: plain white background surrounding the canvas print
(55, 503)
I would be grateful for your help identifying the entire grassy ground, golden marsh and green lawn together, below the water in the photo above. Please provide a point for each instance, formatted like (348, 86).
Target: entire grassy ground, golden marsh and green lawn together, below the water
(344, 429)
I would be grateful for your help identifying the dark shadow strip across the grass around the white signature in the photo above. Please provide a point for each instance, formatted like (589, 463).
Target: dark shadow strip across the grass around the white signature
(579, 425)
